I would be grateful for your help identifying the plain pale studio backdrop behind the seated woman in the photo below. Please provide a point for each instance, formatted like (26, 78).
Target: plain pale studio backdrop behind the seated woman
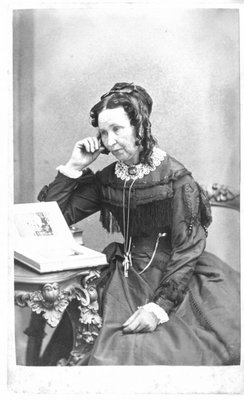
(187, 59)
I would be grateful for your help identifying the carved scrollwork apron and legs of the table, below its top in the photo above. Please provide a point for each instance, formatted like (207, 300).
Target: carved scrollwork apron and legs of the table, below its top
(49, 304)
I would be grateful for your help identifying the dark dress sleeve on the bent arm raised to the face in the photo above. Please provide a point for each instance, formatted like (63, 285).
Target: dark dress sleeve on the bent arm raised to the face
(77, 198)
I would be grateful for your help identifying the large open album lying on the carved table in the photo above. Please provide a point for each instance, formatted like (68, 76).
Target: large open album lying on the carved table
(43, 240)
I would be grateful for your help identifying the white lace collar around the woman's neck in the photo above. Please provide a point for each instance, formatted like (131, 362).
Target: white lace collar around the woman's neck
(127, 172)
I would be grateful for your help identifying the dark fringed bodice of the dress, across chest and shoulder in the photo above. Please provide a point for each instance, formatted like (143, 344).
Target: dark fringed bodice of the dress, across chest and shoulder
(150, 198)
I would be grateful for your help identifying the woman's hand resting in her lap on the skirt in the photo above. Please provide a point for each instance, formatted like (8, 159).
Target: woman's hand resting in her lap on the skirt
(141, 321)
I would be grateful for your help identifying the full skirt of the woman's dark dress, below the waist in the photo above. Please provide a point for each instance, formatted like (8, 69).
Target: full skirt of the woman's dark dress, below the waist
(203, 330)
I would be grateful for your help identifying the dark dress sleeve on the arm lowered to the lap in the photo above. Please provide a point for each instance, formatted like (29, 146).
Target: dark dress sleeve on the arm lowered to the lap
(188, 238)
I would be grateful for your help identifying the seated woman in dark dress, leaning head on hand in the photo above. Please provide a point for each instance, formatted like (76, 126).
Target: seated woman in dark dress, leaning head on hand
(163, 300)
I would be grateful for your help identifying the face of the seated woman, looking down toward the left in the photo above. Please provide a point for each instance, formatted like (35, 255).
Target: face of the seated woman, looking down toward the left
(118, 135)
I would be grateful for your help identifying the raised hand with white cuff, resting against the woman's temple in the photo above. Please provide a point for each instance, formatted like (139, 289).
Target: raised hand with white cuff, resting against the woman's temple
(84, 153)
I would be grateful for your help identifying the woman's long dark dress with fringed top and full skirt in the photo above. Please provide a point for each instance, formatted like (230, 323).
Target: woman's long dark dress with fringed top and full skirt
(199, 292)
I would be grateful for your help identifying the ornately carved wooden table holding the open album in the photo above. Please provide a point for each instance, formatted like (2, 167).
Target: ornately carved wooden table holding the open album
(49, 295)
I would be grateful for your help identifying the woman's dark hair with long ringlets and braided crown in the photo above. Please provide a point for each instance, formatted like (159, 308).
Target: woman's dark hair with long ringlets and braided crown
(138, 106)
